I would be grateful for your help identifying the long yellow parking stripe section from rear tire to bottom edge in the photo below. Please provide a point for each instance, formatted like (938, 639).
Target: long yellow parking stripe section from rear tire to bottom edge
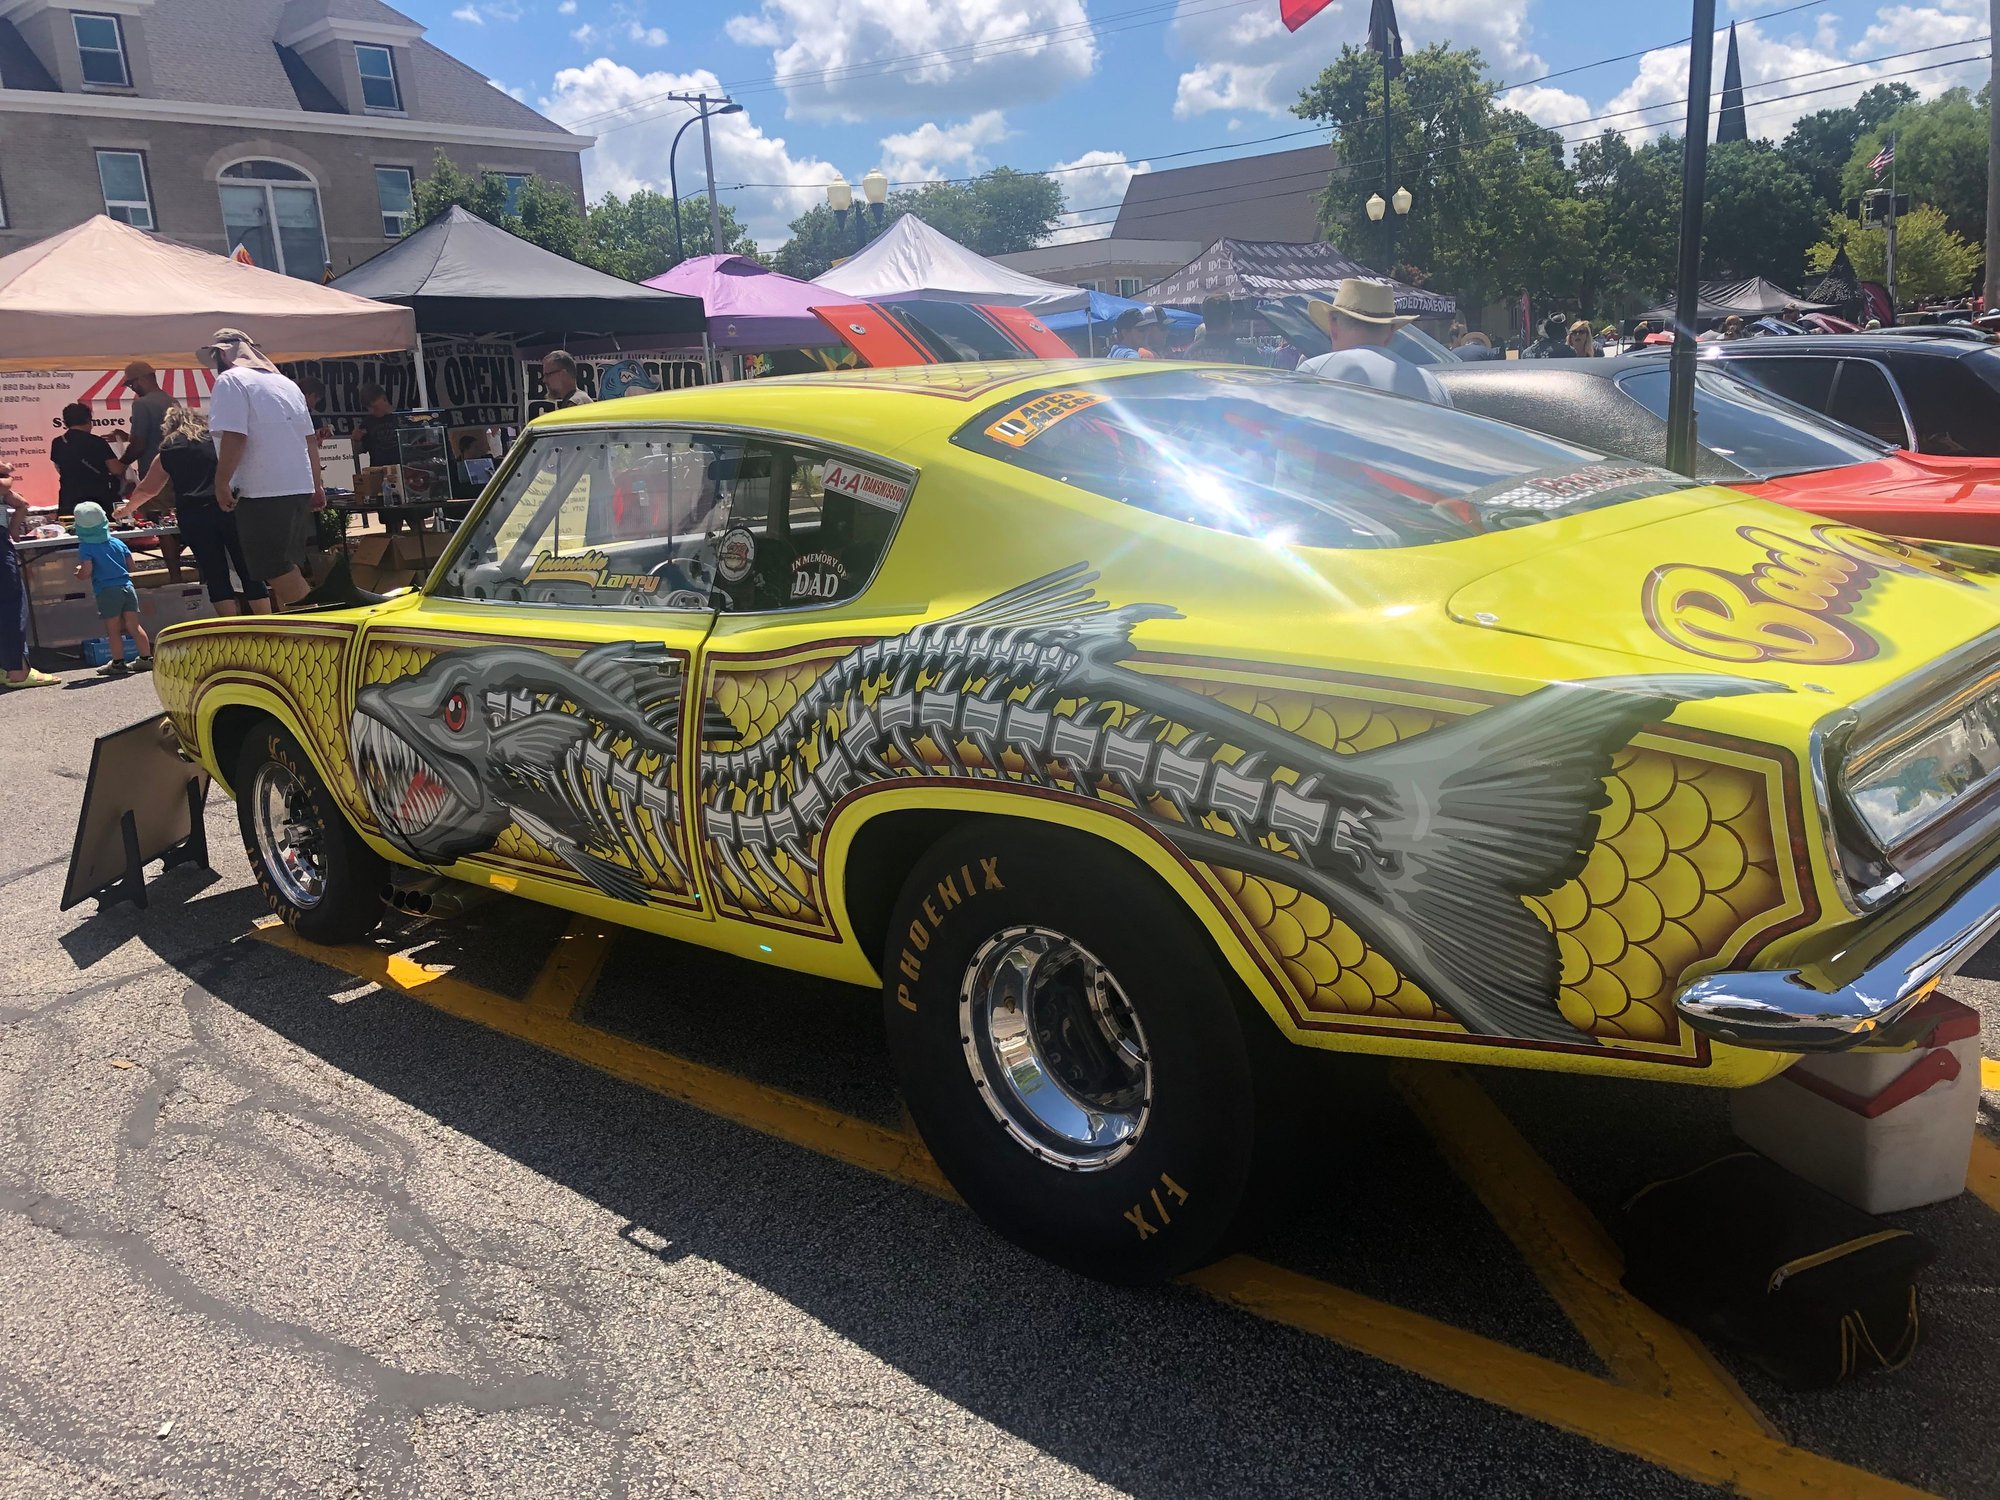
(1739, 1459)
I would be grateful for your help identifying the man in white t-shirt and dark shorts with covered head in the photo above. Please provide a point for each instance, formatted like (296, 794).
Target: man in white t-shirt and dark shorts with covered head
(267, 463)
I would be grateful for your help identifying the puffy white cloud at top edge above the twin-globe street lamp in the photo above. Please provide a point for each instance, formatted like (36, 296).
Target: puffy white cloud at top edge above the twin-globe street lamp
(863, 59)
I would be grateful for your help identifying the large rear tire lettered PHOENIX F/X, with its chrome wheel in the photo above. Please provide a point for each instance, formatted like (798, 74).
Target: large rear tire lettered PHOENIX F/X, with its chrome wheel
(1071, 1053)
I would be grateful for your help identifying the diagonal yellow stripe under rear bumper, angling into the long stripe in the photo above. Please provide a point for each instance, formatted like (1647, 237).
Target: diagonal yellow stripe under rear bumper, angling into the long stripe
(1567, 1249)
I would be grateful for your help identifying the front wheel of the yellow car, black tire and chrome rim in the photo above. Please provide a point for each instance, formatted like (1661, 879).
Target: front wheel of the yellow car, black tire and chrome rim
(309, 861)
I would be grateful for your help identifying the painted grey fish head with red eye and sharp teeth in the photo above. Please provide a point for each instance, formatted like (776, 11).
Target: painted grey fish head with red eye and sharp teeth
(419, 747)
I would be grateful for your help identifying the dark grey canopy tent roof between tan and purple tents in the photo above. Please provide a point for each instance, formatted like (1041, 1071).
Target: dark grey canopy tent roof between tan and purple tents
(461, 275)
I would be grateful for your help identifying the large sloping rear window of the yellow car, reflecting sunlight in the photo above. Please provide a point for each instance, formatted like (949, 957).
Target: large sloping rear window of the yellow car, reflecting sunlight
(1299, 461)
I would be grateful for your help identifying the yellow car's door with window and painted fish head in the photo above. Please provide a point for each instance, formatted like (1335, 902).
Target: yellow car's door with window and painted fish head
(525, 721)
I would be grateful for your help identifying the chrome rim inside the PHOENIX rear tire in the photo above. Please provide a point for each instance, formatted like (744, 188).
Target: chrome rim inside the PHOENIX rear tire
(1055, 1049)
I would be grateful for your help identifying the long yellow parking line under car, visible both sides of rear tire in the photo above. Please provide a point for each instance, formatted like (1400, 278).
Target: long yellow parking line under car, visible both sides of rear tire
(1673, 1435)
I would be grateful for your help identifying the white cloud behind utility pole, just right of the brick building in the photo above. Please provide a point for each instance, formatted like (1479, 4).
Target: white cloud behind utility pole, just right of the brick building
(631, 149)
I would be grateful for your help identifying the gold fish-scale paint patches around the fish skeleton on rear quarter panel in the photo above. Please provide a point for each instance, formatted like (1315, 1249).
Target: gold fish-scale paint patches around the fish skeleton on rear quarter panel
(1687, 869)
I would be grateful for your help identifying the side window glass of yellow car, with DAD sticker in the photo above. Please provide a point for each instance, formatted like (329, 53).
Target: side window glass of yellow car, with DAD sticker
(679, 521)
